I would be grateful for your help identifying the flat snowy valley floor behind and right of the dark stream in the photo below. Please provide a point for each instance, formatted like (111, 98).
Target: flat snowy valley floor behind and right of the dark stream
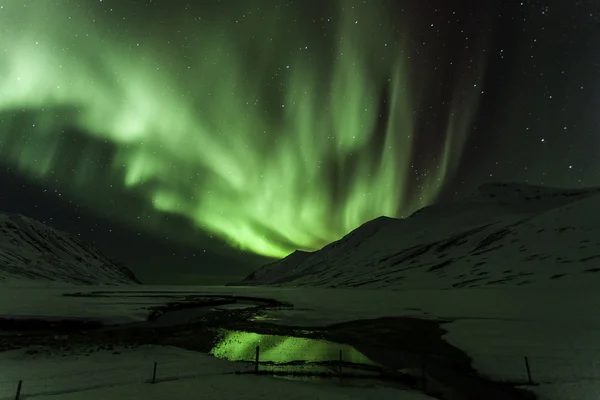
(557, 328)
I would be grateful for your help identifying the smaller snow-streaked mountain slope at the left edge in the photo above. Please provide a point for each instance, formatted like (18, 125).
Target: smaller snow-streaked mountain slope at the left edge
(33, 252)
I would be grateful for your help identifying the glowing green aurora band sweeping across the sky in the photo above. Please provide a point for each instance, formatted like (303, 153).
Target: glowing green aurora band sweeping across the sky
(240, 132)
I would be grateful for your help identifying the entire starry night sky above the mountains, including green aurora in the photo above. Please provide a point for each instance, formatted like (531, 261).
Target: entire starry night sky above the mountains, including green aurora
(196, 140)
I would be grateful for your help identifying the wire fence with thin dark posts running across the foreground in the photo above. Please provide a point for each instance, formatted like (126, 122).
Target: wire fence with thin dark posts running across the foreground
(517, 369)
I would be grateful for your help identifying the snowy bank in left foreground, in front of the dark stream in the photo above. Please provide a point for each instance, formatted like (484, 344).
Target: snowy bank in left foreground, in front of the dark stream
(180, 374)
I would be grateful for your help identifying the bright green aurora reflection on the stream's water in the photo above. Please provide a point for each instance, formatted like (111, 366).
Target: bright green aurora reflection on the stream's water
(241, 346)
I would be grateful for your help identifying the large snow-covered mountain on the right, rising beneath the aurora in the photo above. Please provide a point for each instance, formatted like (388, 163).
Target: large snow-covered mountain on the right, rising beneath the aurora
(504, 234)
